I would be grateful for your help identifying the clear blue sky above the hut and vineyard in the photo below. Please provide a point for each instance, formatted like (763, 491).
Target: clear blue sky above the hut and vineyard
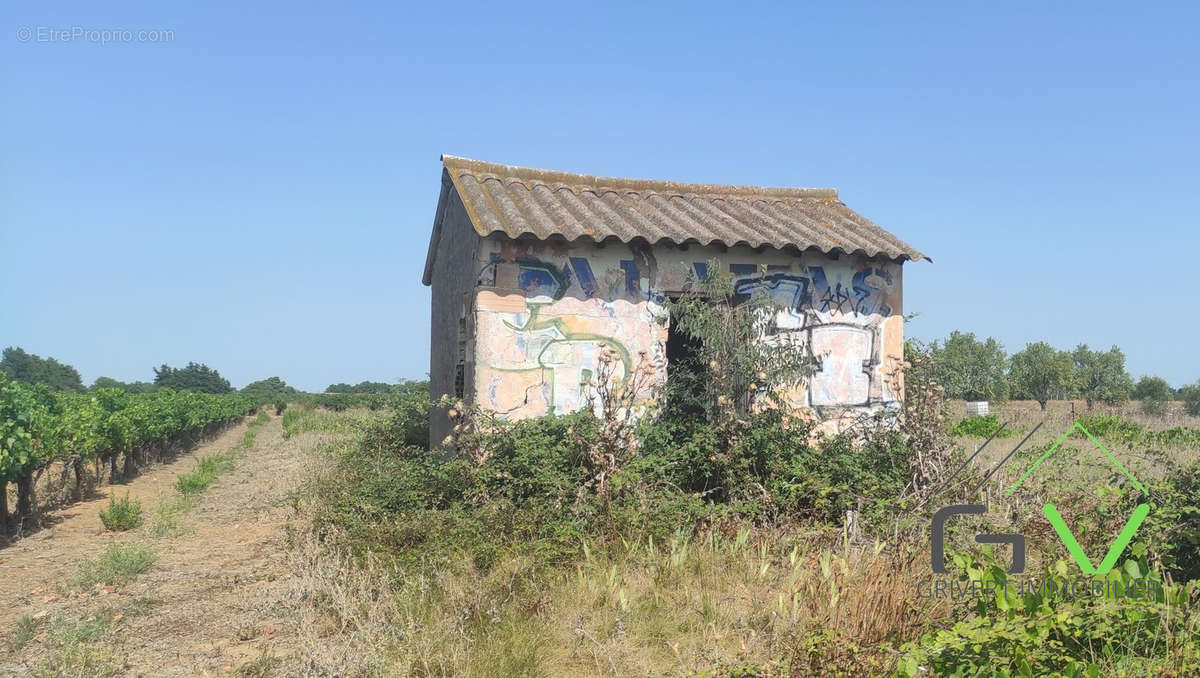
(257, 194)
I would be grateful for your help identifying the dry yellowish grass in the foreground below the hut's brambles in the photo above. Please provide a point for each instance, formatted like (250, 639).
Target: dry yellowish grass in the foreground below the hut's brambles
(634, 609)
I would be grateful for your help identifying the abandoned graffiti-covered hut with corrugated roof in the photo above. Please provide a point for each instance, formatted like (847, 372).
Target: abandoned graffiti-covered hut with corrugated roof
(536, 273)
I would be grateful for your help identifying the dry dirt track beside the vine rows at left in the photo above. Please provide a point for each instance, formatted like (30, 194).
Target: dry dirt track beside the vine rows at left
(217, 597)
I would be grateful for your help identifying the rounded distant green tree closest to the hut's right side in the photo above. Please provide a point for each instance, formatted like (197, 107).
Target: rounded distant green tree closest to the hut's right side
(970, 369)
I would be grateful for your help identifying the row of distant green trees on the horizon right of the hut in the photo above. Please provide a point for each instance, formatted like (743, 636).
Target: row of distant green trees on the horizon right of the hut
(981, 370)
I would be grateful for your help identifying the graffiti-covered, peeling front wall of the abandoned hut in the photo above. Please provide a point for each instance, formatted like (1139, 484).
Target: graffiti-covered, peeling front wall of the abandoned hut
(544, 311)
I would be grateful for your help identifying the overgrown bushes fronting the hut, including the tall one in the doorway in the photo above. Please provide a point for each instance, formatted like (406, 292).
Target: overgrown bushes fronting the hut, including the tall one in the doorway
(717, 448)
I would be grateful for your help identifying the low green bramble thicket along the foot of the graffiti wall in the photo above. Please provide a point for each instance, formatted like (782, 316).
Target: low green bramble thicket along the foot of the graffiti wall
(531, 488)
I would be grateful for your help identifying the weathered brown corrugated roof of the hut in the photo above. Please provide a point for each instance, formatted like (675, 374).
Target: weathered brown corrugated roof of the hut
(521, 201)
